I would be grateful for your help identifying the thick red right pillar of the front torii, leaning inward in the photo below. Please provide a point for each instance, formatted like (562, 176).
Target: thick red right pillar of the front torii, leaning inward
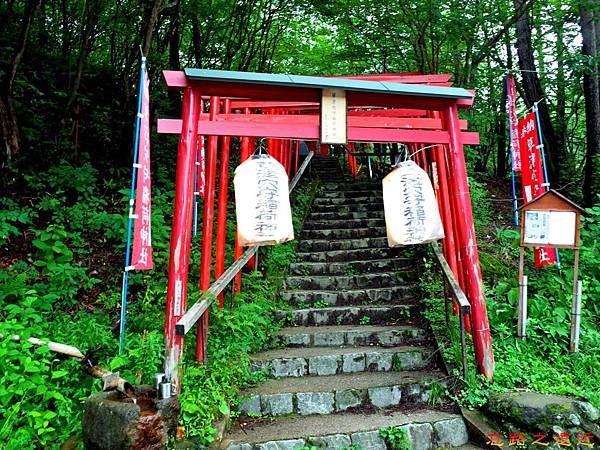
(468, 246)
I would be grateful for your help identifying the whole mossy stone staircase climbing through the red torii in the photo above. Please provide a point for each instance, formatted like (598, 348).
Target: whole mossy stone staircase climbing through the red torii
(353, 358)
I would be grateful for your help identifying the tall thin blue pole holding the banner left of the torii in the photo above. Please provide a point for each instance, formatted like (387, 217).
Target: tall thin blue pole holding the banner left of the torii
(127, 268)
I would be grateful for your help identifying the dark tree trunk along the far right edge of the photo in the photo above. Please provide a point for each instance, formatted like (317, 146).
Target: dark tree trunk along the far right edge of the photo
(591, 176)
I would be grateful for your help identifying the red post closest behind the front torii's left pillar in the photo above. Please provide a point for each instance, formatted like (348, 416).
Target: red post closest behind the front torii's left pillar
(207, 228)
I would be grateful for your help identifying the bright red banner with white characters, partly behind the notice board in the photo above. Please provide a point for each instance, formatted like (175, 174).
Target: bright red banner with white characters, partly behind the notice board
(532, 177)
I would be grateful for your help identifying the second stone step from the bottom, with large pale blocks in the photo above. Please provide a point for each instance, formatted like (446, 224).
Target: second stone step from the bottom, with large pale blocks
(338, 393)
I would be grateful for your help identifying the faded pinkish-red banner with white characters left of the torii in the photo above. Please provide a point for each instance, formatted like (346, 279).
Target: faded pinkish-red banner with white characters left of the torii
(142, 234)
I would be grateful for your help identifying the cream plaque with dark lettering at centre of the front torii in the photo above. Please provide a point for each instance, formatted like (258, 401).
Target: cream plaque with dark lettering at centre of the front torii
(333, 117)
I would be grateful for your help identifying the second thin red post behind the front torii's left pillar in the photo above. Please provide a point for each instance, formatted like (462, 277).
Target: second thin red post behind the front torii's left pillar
(222, 207)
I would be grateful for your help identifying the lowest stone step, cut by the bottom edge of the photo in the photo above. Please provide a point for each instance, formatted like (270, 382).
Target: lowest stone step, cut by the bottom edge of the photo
(426, 429)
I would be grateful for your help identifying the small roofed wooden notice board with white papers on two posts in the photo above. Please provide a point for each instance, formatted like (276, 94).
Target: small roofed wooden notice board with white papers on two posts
(550, 220)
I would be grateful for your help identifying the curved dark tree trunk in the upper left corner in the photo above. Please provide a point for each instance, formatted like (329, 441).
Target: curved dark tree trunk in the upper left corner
(8, 116)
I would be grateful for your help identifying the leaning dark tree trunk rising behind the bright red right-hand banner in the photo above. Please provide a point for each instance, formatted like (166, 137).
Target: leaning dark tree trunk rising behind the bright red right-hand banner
(534, 92)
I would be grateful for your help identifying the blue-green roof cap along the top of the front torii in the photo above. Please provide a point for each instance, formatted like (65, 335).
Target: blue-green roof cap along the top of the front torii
(284, 80)
